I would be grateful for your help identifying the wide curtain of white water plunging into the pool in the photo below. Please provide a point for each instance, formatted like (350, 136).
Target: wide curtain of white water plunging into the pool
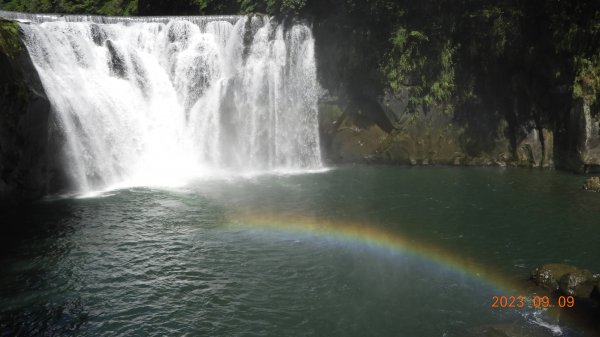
(166, 99)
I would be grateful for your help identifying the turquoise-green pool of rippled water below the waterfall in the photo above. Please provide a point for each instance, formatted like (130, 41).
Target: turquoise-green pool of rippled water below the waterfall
(231, 258)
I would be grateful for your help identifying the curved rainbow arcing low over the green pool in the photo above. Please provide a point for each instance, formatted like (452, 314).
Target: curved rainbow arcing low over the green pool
(365, 234)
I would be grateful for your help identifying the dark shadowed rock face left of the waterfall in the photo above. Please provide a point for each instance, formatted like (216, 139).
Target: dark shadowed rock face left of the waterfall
(28, 165)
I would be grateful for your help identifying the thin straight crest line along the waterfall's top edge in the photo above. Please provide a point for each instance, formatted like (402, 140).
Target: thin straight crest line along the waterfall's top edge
(42, 17)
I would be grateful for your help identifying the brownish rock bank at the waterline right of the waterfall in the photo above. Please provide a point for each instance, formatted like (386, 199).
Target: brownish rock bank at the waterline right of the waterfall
(382, 131)
